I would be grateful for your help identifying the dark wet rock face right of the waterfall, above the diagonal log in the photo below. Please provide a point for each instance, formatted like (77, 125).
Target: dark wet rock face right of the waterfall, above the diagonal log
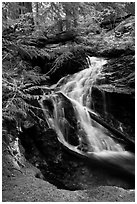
(113, 95)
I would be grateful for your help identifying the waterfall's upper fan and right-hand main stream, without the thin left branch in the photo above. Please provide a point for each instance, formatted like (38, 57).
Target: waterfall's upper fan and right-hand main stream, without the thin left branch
(78, 89)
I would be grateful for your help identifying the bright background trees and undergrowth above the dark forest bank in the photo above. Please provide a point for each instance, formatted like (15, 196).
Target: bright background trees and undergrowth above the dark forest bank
(53, 17)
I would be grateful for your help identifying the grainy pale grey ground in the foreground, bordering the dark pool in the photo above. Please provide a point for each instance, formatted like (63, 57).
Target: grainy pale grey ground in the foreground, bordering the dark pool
(23, 186)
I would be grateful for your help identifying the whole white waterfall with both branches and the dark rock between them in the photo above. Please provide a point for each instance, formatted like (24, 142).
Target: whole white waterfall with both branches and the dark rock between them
(71, 120)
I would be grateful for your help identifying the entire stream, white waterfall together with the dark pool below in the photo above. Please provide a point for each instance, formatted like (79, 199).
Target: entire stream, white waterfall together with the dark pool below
(75, 151)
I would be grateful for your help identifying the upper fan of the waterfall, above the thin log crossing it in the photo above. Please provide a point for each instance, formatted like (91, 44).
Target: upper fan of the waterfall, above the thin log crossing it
(79, 86)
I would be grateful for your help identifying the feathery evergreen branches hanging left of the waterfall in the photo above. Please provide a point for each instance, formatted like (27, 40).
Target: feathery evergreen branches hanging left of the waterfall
(21, 87)
